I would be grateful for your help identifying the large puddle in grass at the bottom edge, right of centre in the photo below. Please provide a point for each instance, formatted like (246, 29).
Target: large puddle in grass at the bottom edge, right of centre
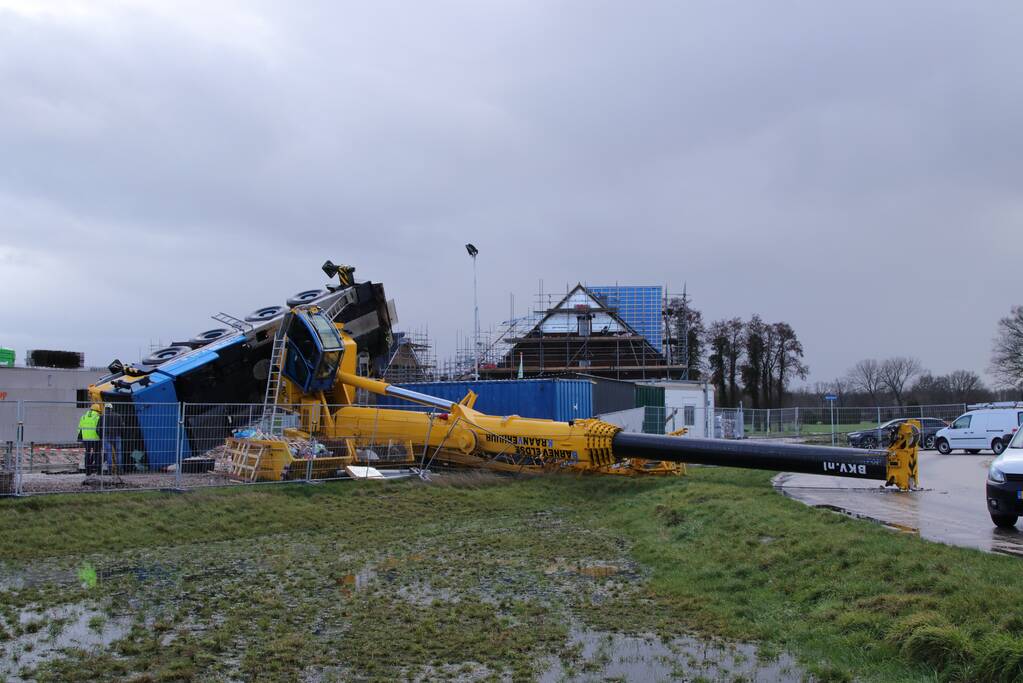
(605, 656)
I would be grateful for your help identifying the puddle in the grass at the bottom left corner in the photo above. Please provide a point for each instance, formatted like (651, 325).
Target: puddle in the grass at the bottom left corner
(57, 629)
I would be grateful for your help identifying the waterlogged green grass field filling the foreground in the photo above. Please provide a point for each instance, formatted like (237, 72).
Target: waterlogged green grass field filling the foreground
(487, 578)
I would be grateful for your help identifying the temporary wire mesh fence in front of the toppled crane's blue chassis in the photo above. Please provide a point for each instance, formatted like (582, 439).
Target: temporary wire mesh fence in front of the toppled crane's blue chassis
(176, 446)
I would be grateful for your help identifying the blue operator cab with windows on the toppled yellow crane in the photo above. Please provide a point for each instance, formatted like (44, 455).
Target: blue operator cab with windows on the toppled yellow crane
(315, 350)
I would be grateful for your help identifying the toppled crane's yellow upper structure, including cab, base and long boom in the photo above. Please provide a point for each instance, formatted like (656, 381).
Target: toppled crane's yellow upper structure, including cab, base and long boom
(313, 393)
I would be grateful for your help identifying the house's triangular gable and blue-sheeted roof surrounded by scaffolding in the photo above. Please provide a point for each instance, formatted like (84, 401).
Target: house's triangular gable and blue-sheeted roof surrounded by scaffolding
(609, 332)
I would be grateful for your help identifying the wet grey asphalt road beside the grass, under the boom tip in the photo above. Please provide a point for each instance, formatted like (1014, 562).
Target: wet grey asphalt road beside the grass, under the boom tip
(951, 509)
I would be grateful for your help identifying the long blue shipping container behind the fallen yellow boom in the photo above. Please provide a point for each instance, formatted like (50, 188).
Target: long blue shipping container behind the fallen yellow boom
(561, 400)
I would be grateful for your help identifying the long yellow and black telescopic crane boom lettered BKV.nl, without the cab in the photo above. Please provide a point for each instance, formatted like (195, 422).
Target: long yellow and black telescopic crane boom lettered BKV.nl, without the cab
(593, 445)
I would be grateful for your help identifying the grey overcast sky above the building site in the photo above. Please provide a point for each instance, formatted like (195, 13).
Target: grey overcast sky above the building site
(855, 169)
